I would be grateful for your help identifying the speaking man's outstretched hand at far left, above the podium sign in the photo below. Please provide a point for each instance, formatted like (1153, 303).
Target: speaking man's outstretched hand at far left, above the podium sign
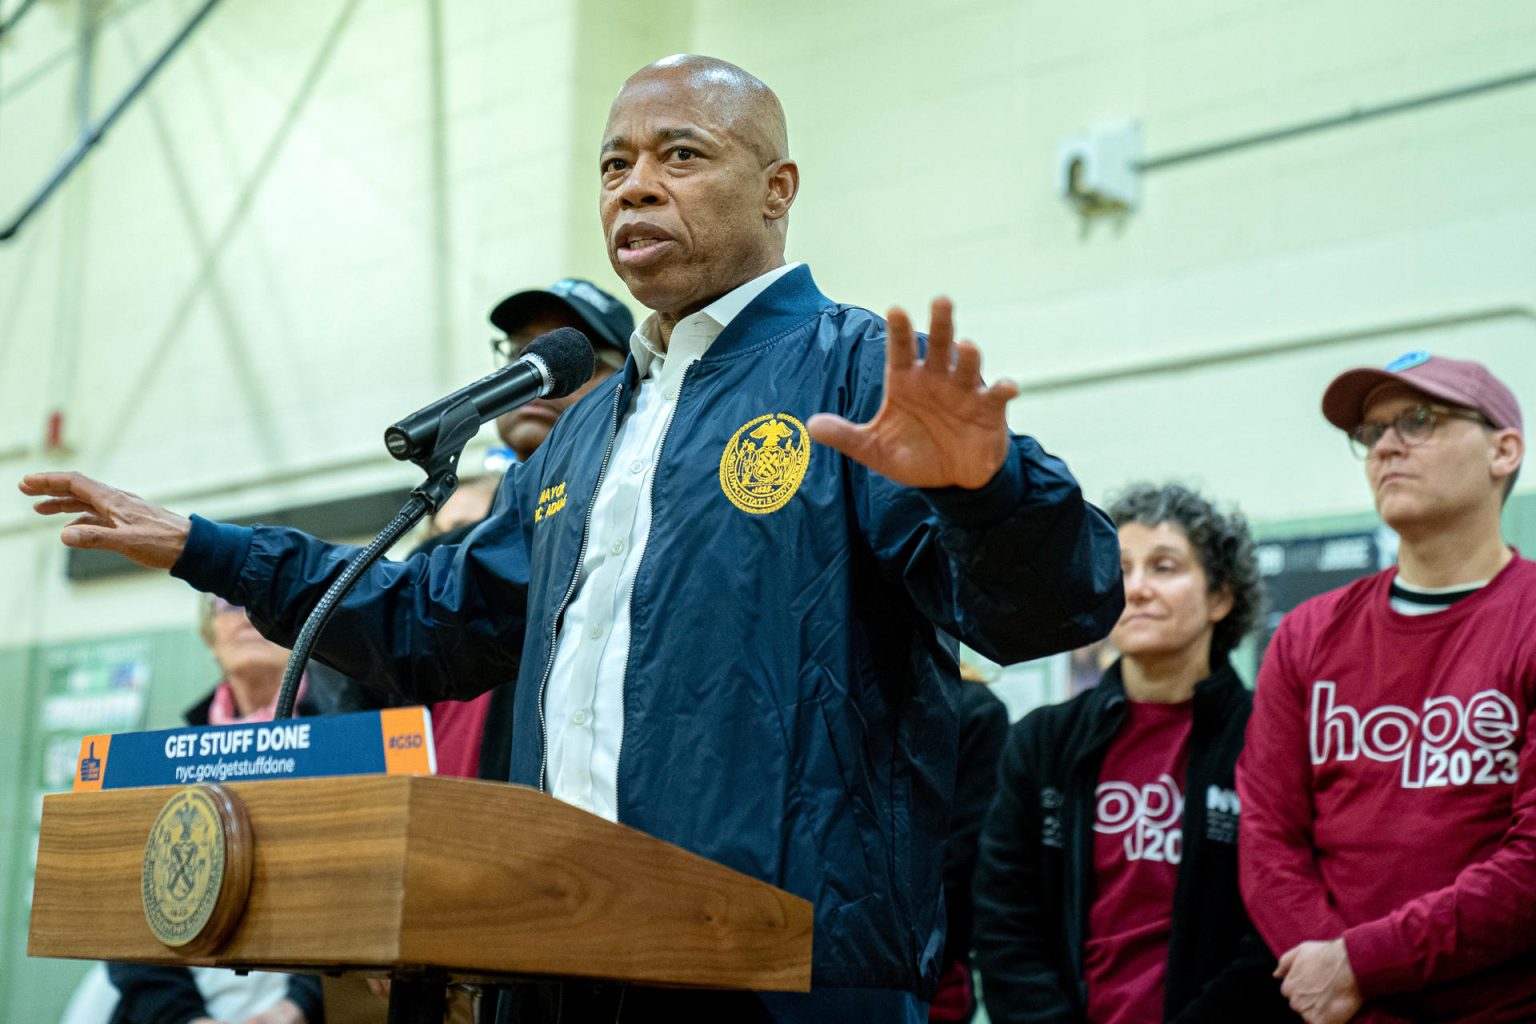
(110, 520)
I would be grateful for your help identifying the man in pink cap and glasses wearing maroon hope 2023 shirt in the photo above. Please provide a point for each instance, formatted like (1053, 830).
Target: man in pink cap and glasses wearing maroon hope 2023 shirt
(1389, 804)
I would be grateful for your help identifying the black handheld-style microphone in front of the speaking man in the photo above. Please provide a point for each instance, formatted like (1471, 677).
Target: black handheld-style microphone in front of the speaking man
(554, 366)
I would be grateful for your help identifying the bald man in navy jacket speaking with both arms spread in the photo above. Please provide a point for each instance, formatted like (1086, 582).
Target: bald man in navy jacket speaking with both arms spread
(729, 609)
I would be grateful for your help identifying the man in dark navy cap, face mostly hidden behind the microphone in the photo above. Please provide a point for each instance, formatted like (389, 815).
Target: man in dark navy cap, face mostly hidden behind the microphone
(526, 315)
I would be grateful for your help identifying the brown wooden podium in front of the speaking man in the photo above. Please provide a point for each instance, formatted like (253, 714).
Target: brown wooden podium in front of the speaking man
(428, 877)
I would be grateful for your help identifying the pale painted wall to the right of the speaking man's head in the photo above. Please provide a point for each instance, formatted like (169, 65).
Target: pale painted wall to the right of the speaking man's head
(929, 136)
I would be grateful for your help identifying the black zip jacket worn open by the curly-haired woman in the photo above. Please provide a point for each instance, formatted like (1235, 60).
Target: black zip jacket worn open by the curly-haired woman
(1034, 884)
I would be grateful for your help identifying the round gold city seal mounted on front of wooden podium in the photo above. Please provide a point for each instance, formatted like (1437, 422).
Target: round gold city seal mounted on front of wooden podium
(197, 870)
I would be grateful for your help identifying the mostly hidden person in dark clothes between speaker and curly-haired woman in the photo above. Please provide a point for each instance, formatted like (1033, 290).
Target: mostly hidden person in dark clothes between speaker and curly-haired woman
(984, 727)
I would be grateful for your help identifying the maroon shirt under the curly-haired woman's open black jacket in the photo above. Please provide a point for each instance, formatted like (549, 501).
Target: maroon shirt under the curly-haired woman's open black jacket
(1139, 842)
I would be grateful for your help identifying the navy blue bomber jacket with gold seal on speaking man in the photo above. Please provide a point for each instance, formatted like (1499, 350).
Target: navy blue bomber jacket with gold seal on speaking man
(787, 704)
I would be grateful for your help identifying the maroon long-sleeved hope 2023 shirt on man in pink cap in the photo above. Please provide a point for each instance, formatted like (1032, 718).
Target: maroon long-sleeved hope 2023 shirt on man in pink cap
(1389, 794)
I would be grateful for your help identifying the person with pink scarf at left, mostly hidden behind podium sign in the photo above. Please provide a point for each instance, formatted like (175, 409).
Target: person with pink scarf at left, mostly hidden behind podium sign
(253, 672)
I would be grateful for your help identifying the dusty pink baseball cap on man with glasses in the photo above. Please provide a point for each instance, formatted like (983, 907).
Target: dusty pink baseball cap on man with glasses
(1455, 382)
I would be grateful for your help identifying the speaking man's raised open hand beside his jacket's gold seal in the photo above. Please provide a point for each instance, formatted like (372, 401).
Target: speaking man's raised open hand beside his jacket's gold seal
(939, 424)
